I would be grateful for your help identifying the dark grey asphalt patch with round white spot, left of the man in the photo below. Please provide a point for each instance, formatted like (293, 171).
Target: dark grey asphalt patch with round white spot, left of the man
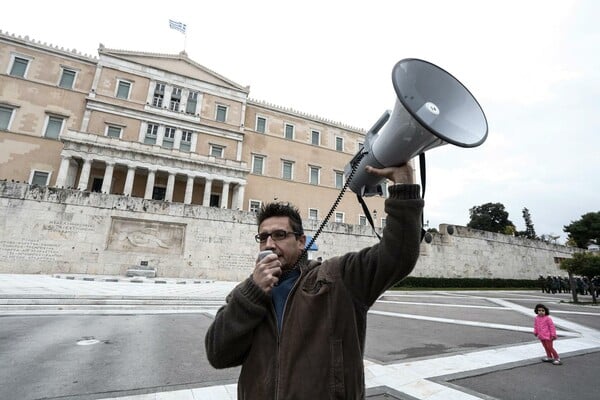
(98, 356)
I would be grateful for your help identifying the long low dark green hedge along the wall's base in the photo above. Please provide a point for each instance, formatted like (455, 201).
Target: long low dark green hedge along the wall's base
(467, 283)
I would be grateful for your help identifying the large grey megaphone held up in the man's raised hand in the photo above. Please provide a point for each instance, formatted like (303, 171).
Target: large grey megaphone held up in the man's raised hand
(432, 109)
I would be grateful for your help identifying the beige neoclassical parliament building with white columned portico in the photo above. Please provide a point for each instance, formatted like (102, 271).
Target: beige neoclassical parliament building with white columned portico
(165, 127)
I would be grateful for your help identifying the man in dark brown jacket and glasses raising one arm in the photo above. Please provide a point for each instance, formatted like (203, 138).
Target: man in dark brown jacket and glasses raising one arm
(299, 332)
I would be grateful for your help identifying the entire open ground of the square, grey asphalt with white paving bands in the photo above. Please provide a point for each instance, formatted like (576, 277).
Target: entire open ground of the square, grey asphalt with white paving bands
(56, 343)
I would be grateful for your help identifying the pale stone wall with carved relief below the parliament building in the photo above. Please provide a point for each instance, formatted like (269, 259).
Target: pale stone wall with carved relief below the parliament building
(49, 230)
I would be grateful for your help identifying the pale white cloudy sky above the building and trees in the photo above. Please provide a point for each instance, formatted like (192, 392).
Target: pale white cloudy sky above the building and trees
(534, 66)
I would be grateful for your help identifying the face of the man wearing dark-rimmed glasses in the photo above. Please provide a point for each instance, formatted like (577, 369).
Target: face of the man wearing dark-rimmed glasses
(287, 249)
